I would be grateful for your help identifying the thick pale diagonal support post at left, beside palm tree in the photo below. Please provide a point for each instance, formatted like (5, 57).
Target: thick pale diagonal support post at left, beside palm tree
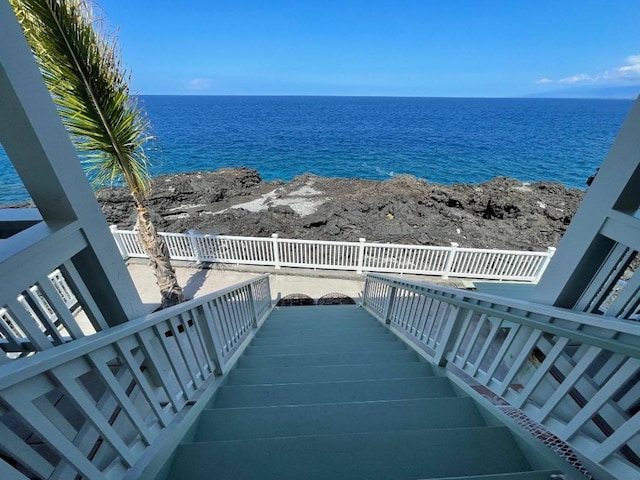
(39, 147)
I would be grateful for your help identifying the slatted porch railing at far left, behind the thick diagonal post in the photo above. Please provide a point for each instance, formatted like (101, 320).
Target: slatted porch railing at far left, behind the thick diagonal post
(45, 301)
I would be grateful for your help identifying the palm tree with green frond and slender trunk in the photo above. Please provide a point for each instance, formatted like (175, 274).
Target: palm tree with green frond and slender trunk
(82, 68)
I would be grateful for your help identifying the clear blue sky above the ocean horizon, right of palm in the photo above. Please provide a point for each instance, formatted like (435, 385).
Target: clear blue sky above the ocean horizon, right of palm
(447, 48)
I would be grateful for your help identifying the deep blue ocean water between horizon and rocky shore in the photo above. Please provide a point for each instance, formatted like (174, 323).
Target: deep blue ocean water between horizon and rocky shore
(445, 140)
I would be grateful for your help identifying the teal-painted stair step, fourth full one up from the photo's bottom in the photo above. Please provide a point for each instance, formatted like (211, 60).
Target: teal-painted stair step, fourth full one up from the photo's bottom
(328, 373)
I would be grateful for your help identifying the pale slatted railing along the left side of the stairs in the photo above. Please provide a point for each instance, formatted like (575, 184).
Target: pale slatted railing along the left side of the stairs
(94, 407)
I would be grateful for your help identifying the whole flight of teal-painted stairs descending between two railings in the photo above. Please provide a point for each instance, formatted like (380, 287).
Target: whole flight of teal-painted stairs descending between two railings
(330, 393)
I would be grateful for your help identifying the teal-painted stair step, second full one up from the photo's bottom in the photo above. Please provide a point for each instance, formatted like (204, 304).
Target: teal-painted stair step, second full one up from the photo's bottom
(334, 418)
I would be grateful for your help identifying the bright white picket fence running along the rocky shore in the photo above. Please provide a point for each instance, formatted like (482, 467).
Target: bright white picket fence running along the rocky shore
(452, 261)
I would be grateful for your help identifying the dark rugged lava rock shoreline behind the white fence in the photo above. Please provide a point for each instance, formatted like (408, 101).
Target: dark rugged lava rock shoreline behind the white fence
(501, 213)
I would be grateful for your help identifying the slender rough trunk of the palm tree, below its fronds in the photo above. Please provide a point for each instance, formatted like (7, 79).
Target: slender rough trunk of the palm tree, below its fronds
(158, 254)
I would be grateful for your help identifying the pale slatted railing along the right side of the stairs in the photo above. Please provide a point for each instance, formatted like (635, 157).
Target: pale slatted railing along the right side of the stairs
(575, 374)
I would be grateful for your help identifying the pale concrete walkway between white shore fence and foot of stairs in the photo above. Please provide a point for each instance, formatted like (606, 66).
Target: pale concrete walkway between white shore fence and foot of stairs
(198, 281)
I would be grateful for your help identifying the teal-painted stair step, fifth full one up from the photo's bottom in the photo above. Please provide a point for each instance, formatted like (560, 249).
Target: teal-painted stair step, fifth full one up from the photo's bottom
(339, 358)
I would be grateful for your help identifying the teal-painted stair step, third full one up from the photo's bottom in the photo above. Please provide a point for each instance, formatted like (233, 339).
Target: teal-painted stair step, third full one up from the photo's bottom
(229, 396)
